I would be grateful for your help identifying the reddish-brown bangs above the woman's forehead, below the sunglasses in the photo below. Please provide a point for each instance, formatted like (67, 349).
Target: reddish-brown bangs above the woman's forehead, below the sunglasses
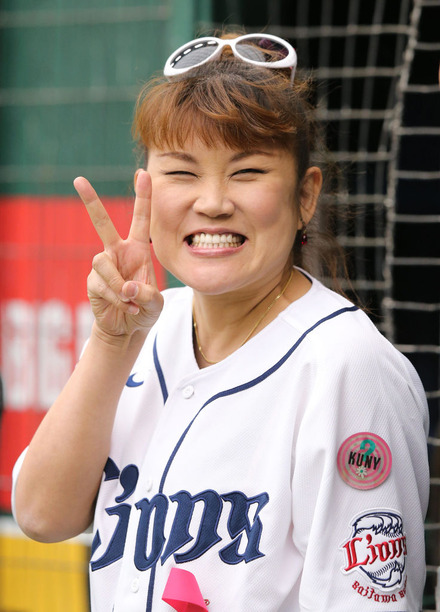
(217, 104)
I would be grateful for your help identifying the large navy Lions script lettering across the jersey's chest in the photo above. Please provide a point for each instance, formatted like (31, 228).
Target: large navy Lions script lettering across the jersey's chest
(155, 542)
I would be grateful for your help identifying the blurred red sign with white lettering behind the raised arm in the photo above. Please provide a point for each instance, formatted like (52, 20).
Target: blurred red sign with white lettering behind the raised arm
(46, 248)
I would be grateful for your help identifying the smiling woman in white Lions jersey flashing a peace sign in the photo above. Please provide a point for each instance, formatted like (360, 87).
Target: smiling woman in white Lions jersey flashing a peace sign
(252, 428)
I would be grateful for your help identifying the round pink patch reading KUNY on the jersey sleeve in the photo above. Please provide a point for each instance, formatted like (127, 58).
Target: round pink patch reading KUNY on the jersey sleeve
(364, 460)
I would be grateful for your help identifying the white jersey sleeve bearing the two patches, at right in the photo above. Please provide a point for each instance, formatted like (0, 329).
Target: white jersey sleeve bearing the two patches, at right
(360, 481)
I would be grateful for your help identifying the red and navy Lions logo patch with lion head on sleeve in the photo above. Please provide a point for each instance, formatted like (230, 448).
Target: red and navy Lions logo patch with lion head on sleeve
(376, 549)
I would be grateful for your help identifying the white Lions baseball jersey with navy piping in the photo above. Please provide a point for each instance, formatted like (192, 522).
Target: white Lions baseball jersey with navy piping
(291, 476)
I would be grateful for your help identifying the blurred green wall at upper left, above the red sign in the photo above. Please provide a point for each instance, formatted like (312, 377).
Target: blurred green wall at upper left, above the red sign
(69, 76)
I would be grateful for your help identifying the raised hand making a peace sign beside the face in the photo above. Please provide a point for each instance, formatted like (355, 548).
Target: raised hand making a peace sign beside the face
(122, 286)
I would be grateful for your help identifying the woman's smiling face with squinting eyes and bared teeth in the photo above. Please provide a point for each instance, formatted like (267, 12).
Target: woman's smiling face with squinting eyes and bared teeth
(223, 220)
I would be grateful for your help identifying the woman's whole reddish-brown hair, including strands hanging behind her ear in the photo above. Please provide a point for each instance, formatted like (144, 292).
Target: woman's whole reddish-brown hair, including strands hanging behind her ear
(243, 105)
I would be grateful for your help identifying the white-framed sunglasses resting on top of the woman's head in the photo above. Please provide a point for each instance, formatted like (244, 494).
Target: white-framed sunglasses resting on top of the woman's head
(258, 49)
